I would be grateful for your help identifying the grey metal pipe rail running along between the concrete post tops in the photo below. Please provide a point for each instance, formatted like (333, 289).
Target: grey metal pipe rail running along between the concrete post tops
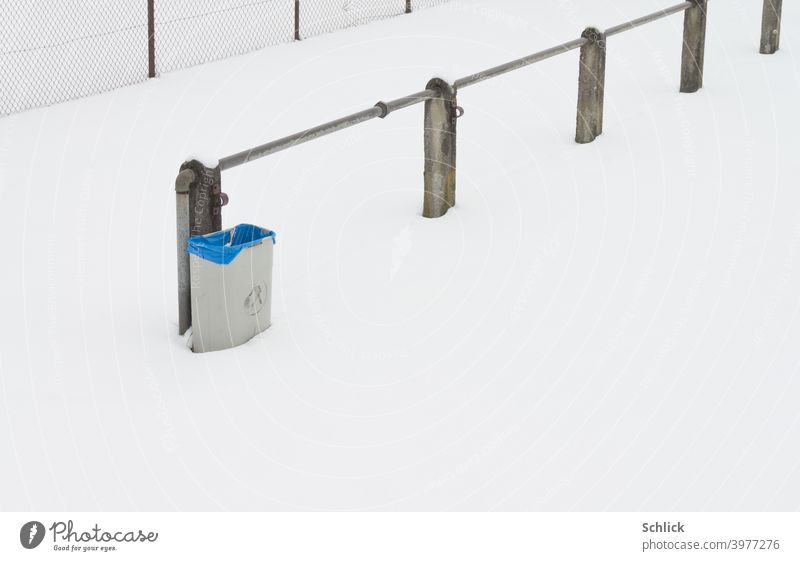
(382, 109)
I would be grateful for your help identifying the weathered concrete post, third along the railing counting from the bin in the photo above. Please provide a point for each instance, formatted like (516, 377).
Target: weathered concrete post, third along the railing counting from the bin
(591, 86)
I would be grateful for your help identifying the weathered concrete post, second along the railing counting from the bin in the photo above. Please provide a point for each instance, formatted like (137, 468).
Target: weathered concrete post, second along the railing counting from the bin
(441, 113)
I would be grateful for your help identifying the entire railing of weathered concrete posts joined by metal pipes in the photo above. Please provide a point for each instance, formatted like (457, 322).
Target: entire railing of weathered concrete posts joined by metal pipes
(198, 188)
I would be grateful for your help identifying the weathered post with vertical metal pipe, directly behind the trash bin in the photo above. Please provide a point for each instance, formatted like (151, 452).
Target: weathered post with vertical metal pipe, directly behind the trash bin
(199, 201)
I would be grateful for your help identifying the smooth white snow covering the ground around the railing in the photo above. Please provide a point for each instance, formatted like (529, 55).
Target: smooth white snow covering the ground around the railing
(610, 326)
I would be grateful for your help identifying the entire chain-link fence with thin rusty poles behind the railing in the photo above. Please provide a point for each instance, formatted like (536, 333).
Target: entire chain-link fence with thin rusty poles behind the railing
(55, 50)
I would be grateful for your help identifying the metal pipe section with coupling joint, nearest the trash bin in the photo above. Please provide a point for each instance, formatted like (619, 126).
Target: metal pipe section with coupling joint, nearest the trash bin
(323, 130)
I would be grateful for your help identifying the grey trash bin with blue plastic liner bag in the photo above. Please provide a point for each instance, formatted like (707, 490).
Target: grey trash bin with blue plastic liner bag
(231, 286)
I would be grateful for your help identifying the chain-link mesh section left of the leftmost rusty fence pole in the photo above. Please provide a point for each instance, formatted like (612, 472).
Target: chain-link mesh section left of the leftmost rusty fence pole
(55, 50)
